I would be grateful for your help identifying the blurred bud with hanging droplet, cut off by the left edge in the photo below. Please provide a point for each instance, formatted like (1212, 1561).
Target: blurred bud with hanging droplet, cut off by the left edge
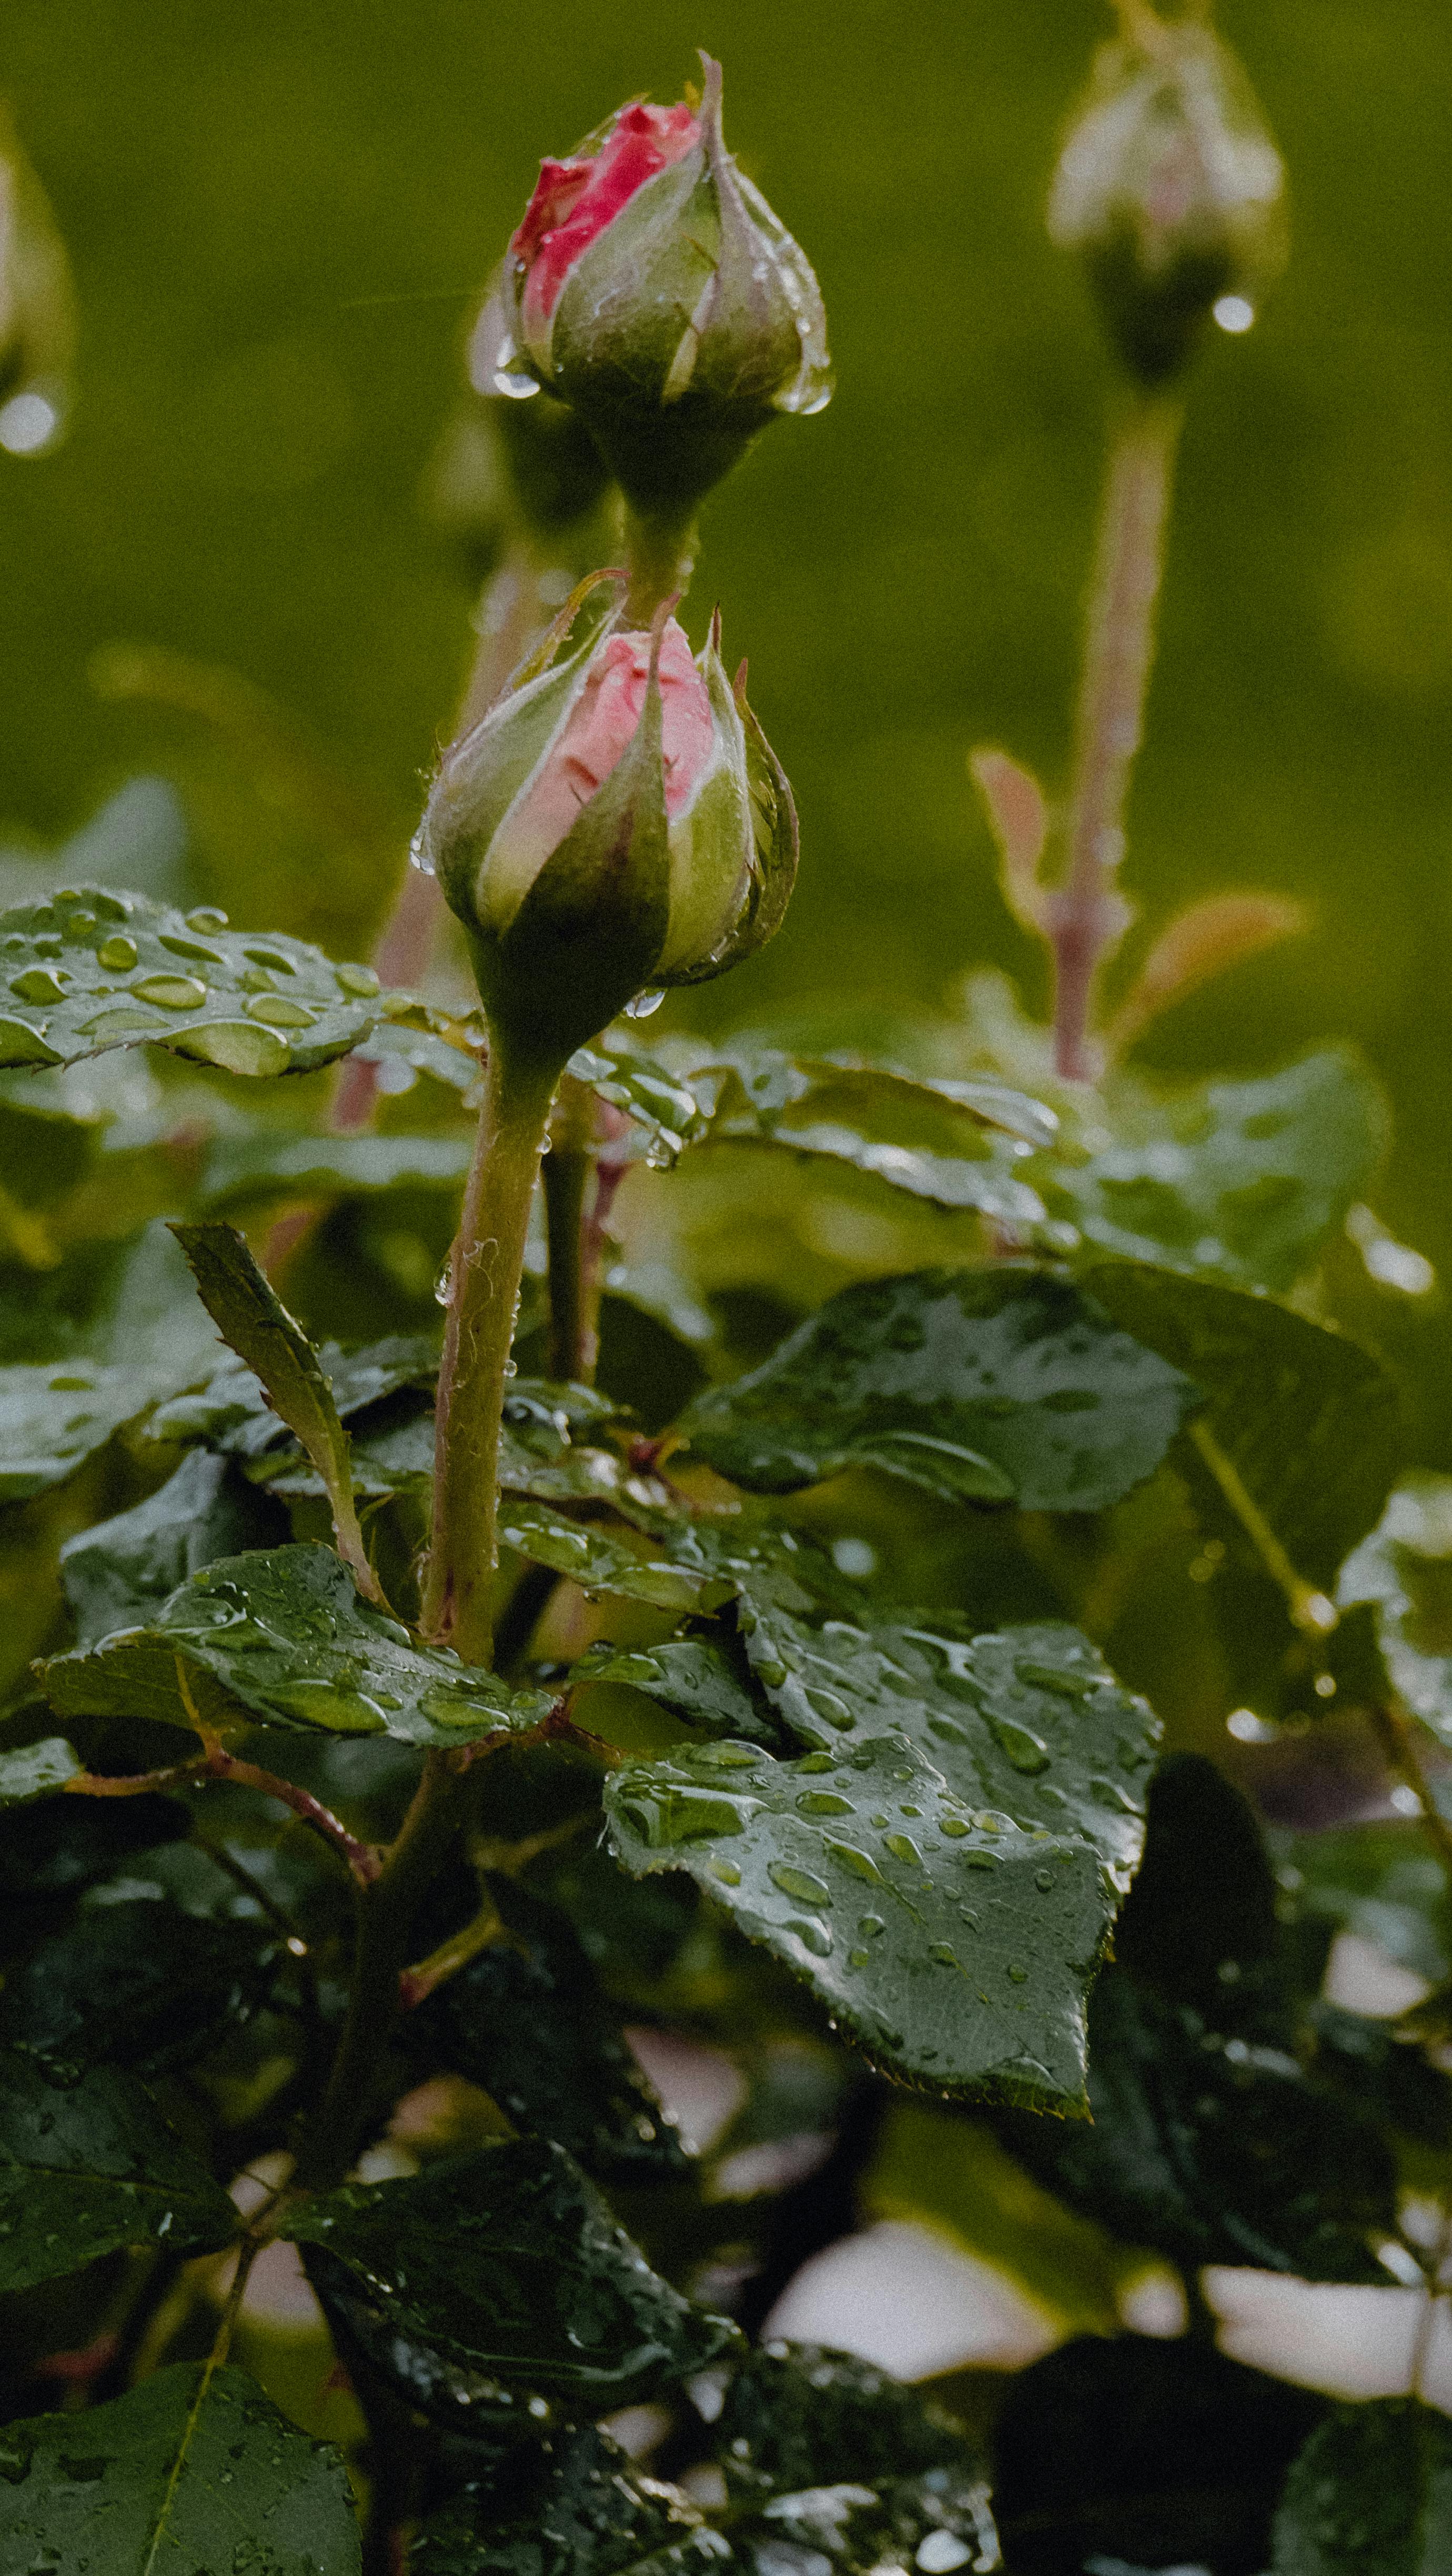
(37, 308)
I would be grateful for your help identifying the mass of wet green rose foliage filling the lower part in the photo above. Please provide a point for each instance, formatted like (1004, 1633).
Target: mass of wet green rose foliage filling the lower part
(820, 1738)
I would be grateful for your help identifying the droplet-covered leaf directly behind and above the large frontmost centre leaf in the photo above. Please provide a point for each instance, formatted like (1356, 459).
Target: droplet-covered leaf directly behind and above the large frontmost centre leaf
(1028, 1722)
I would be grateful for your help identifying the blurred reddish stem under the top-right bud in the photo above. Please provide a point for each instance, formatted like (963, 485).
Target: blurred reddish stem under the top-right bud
(1119, 653)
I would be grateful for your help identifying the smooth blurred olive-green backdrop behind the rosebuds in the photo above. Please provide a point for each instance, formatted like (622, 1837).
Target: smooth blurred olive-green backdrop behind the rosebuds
(279, 218)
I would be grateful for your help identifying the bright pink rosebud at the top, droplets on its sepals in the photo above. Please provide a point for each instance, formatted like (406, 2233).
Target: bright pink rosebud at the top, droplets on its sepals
(663, 300)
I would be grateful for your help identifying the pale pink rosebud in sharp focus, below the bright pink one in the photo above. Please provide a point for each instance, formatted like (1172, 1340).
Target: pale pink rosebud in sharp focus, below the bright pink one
(617, 823)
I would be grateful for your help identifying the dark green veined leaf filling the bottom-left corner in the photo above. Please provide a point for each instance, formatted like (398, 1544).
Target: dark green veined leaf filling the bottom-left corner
(189, 2474)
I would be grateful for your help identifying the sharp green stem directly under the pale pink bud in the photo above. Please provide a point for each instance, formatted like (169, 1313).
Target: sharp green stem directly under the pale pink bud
(483, 1294)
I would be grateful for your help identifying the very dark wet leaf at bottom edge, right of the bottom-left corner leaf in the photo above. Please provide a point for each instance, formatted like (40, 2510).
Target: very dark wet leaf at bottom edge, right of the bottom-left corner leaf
(586, 2515)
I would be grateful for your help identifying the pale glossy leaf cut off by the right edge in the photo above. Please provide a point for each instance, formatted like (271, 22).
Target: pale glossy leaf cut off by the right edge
(1407, 1570)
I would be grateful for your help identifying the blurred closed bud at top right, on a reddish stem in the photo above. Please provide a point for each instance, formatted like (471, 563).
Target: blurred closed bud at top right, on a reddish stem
(1173, 192)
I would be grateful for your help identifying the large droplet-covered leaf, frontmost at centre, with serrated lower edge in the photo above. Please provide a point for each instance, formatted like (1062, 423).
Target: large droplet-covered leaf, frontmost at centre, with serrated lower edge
(949, 1941)
